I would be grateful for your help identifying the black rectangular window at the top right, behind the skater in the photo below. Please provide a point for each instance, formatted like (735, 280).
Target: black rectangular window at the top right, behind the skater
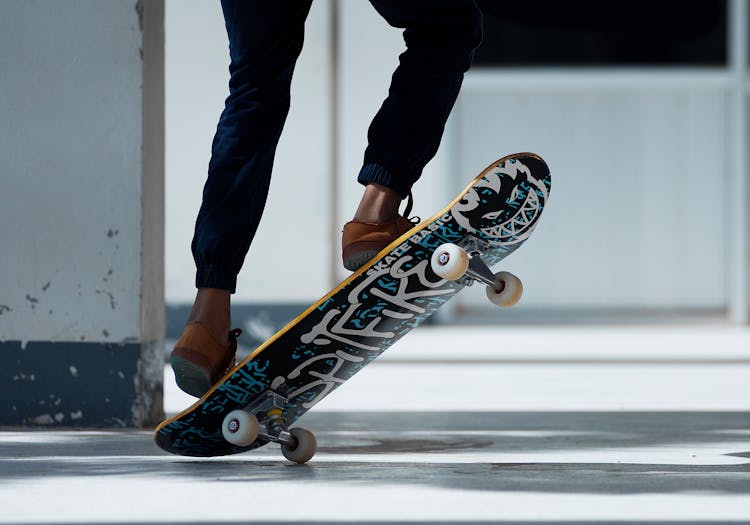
(598, 33)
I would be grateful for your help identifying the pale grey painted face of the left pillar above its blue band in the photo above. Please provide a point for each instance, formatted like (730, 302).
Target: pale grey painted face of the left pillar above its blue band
(70, 171)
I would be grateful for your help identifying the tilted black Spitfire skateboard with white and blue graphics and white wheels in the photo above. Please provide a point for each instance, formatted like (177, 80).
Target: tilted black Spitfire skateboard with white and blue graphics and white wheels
(258, 400)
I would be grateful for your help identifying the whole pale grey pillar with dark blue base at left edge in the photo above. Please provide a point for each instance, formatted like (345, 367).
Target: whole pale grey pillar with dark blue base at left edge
(81, 212)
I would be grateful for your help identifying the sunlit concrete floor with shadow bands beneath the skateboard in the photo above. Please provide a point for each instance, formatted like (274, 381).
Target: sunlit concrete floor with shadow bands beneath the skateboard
(525, 425)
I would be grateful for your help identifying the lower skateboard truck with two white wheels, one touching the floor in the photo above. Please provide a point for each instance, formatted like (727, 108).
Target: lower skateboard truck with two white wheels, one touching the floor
(264, 418)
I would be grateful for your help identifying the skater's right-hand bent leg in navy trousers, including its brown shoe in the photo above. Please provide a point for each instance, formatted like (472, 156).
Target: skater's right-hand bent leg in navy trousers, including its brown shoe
(440, 36)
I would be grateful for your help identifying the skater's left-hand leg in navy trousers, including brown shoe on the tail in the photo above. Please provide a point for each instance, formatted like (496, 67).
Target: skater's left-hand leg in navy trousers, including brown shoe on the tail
(265, 39)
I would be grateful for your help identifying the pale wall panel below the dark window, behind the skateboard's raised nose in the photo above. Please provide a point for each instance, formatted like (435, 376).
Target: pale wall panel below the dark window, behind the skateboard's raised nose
(638, 213)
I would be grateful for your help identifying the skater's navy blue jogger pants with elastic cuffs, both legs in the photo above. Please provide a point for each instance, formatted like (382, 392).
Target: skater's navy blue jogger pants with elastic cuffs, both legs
(265, 39)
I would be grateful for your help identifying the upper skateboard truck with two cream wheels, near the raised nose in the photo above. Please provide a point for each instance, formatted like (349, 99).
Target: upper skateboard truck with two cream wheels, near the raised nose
(462, 262)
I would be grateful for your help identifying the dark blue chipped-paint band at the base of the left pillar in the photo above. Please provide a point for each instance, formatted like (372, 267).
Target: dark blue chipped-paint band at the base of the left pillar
(81, 384)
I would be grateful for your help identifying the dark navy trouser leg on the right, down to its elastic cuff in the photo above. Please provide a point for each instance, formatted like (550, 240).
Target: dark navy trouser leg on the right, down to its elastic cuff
(440, 37)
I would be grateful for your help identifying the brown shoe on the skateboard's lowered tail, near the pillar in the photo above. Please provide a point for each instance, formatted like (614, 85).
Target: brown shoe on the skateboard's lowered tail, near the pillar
(199, 360)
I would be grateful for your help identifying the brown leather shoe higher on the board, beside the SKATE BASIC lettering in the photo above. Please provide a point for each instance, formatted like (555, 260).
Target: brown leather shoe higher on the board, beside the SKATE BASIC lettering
(363, 240)
